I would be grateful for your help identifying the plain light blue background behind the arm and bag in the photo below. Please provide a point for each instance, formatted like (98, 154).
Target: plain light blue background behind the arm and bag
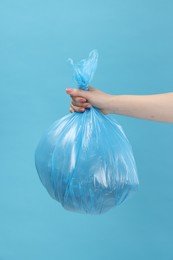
(135, 42)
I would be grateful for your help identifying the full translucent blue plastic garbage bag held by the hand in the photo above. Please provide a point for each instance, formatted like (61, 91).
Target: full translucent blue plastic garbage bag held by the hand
(85, 160)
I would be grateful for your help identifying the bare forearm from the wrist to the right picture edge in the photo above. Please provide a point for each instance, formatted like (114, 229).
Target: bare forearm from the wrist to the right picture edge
(157, 107)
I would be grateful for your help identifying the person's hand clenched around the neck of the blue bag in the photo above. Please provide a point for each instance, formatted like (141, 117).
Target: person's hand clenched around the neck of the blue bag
(82, 99)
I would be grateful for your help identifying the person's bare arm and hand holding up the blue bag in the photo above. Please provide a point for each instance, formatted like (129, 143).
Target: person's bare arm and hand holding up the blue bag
(156, 107)
